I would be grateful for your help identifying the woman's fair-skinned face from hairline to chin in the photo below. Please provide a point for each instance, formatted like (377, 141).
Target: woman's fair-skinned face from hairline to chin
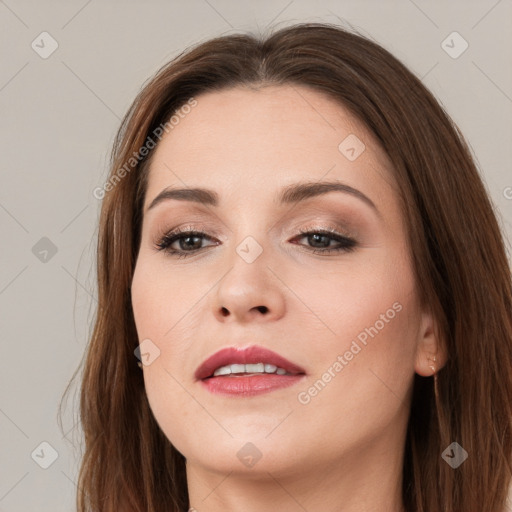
(349, 318)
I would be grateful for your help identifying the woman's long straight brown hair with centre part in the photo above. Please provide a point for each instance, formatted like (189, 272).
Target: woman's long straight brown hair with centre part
(458, 256)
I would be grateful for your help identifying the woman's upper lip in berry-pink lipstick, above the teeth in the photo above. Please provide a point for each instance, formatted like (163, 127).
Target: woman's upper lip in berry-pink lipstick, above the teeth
(253, 354)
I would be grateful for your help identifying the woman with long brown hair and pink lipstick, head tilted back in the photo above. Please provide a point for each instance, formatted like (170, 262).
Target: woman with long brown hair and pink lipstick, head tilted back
(296, 244)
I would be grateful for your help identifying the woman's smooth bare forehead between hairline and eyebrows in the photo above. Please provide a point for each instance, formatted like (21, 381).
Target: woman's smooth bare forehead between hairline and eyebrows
(263, 139)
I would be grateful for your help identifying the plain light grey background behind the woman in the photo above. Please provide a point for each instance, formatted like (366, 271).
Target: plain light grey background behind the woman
(58, 120)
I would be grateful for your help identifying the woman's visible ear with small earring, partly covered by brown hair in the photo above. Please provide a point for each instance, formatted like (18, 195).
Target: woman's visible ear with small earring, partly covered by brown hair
(431, 353)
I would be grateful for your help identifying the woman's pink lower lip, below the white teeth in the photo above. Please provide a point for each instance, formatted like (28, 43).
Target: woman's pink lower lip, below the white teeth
(249, 385)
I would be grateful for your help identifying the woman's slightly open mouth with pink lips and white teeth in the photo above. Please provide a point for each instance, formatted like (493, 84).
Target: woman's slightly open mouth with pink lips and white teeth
(247, 372)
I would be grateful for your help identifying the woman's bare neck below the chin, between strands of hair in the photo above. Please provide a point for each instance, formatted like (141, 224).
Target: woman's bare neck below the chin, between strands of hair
(368, 479)
